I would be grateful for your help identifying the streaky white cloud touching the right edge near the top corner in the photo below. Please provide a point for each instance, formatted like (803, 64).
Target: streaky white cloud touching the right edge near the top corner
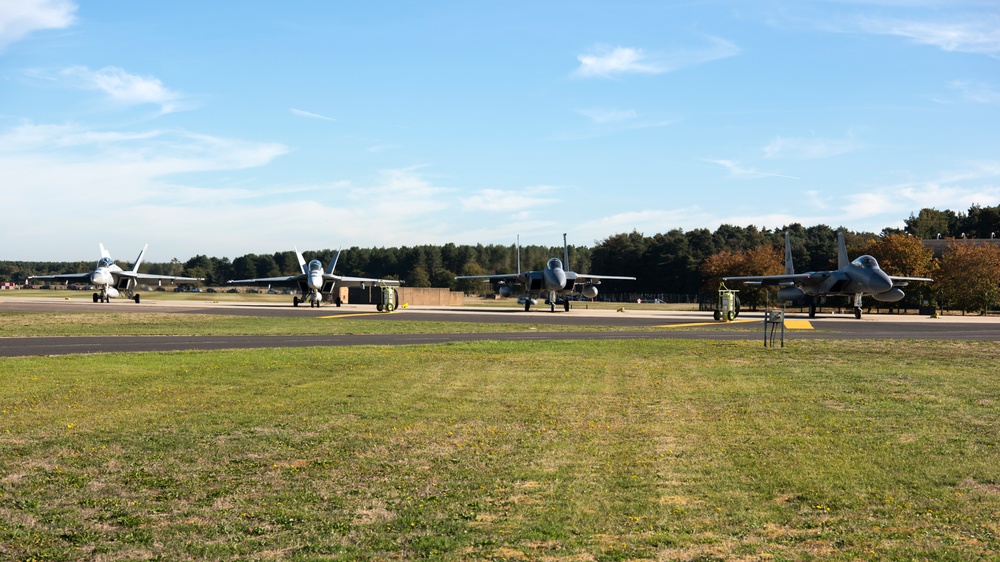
(981, 36)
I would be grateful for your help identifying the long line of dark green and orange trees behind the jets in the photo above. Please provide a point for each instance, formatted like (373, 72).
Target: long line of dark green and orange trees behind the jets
(675, 262)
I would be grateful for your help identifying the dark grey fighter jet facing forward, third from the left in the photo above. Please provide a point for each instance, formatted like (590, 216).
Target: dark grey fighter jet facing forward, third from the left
(552, 281)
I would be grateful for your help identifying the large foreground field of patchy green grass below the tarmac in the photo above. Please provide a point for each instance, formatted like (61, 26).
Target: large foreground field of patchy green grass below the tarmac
(532, 450)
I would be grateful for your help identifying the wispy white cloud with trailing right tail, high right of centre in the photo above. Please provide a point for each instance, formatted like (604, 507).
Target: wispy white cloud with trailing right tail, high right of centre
(603, 61)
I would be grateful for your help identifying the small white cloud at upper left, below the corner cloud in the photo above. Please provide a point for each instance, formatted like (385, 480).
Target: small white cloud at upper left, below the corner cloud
(125, 88)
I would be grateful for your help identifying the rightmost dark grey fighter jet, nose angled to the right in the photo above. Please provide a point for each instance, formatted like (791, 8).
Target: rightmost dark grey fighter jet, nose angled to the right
(854, 279)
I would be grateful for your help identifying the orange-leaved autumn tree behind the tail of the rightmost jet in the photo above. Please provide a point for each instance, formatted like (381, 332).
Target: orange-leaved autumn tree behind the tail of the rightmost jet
(762, 260)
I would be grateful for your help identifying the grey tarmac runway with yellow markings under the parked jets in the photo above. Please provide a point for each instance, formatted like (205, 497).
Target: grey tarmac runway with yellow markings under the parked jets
(648, 324)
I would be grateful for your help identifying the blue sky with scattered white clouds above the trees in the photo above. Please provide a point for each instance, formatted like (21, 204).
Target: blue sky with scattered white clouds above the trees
(223, 128)
